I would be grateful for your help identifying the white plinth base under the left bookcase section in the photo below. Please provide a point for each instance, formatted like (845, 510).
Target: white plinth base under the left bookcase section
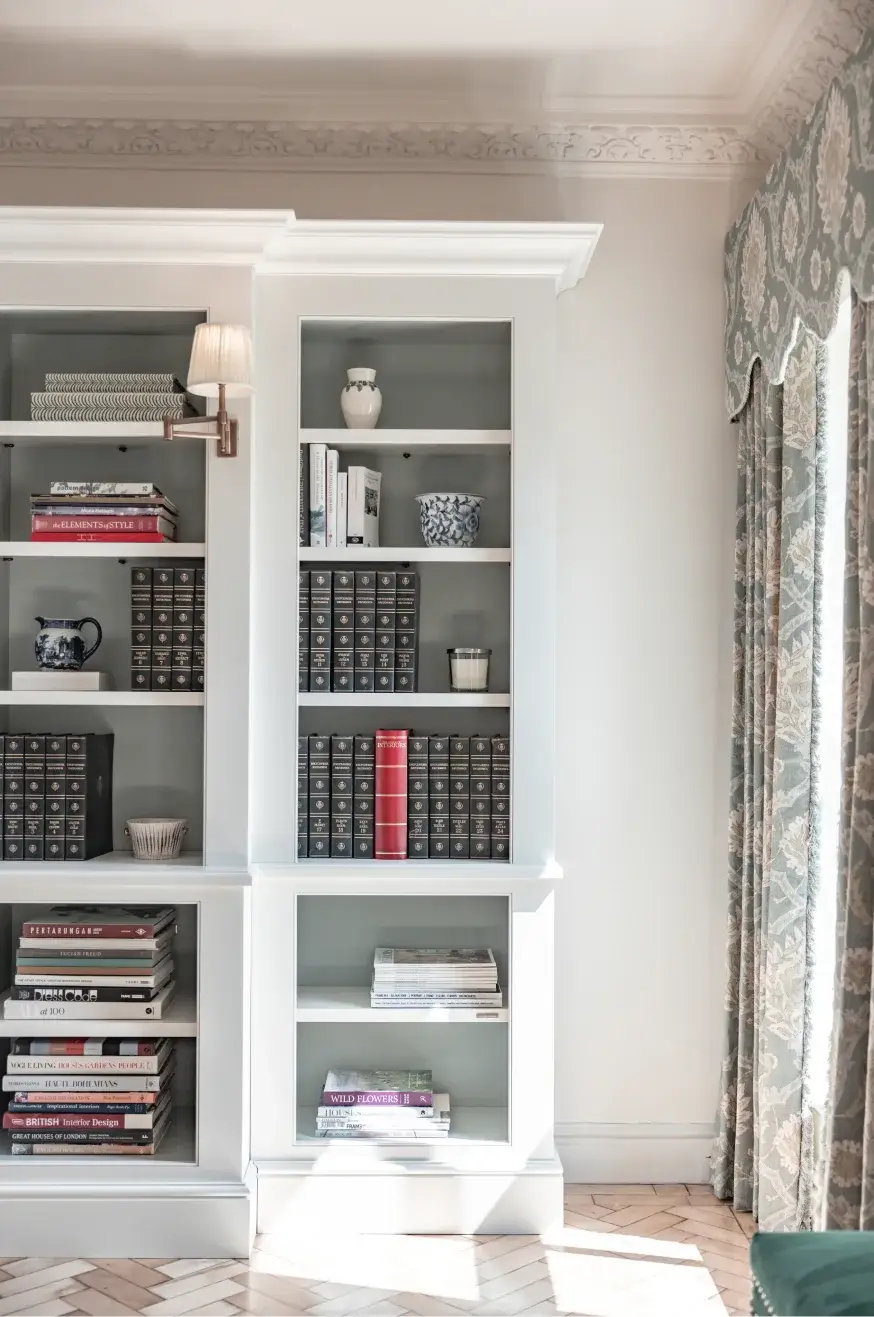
(124, 1224)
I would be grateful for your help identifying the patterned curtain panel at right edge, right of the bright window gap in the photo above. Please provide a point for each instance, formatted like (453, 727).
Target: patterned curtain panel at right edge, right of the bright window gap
(850, 1191)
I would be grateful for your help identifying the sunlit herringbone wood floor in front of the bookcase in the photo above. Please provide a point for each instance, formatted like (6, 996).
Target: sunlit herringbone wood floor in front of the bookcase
(634, 1250)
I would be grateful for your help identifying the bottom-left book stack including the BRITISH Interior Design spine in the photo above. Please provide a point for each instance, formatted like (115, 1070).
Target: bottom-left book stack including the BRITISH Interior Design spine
(99, 1096)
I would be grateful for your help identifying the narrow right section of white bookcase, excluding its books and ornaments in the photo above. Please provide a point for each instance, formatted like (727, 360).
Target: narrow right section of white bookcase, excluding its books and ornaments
(460, 323)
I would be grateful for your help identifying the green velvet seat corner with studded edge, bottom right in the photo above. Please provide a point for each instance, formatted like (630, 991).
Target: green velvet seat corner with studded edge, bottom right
(814, 1274)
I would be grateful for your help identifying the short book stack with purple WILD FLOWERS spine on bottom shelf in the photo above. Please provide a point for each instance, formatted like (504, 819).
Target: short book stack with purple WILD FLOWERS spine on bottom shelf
(382, 1106)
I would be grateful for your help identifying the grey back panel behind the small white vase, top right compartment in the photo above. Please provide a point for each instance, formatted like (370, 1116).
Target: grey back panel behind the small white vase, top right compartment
(447, 375)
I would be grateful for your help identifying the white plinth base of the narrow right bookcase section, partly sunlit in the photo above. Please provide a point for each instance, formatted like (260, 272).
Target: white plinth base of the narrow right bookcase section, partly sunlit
(296, 1196)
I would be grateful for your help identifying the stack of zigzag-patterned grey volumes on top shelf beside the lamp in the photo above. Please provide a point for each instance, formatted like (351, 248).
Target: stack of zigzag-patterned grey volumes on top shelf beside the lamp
(109, 397)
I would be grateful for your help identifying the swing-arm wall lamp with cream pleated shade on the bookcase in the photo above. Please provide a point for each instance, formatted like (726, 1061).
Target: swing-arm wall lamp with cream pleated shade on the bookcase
(220, 368)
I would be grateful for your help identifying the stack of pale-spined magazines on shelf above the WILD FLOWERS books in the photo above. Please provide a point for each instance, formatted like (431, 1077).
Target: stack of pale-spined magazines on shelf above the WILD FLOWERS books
(411, 979)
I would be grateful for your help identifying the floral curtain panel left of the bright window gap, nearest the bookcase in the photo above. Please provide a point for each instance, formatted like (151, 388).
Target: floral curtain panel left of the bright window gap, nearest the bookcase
(764, 1153)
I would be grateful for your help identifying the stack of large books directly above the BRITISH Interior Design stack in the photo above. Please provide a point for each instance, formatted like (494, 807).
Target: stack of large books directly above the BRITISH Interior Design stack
(94, 963)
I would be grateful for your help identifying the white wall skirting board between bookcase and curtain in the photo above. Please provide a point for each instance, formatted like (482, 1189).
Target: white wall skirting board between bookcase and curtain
(635, 1154)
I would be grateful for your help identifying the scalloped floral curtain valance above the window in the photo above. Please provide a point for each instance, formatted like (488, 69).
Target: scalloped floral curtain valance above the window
(813, 218)
